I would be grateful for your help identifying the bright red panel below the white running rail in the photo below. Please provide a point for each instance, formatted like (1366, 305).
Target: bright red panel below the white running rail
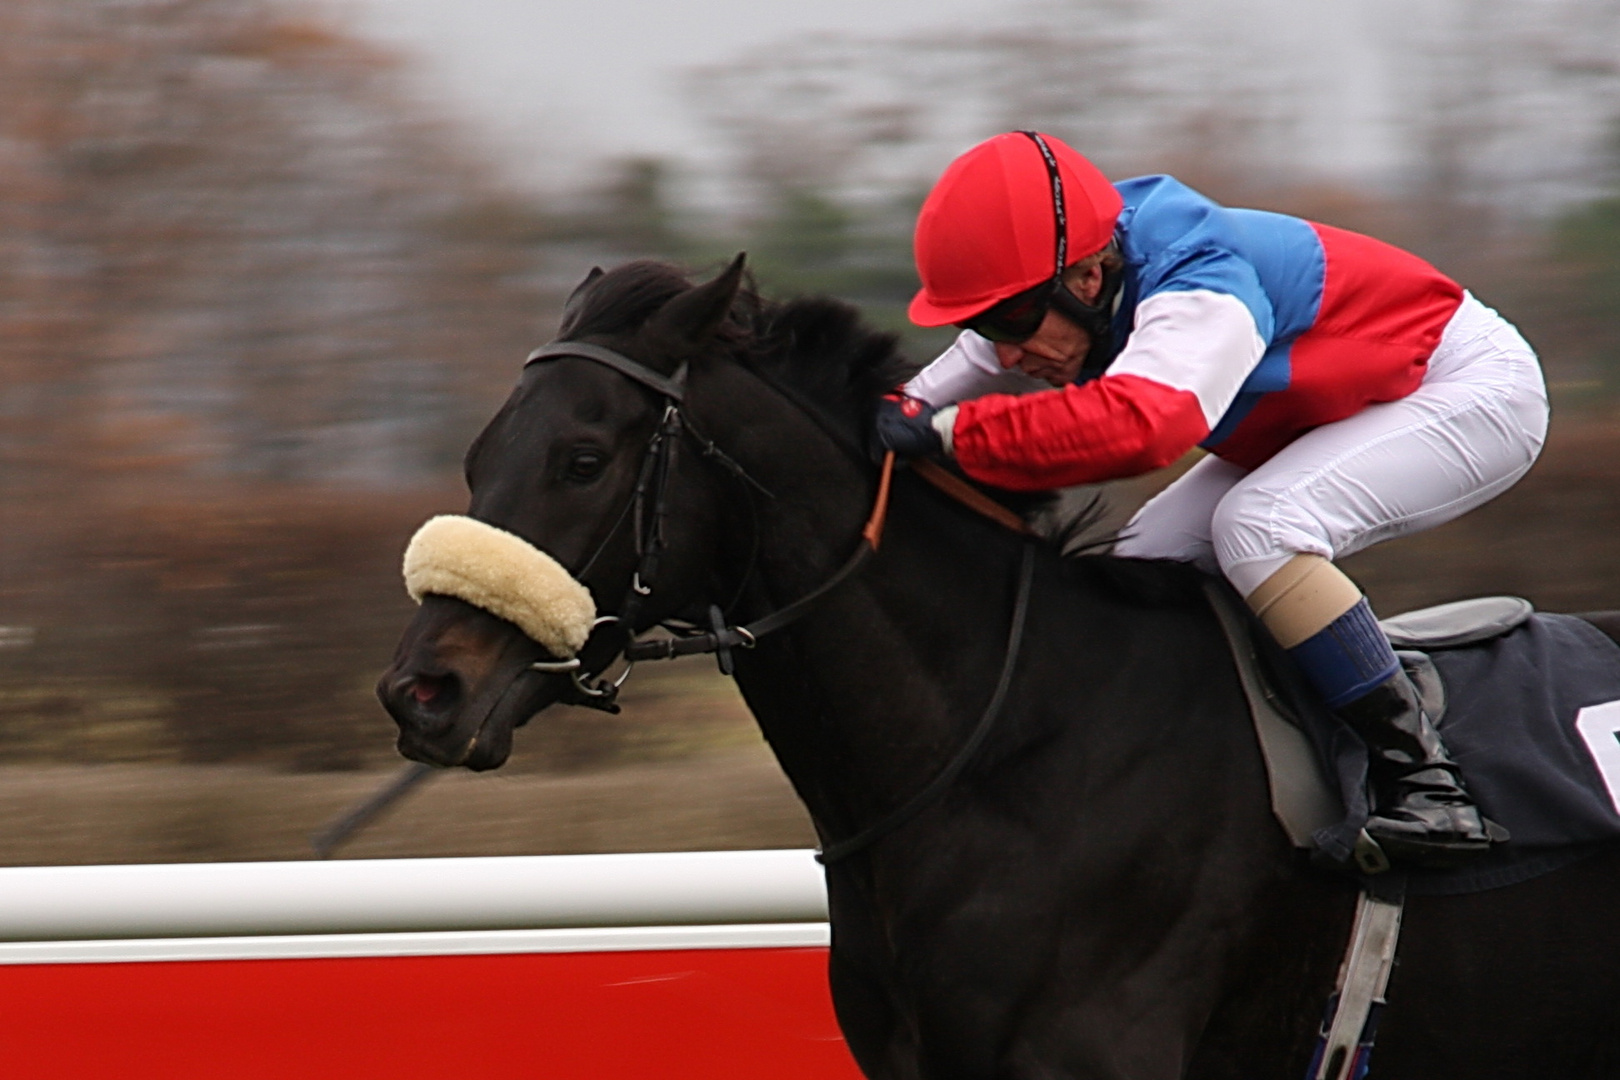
(670, 1014)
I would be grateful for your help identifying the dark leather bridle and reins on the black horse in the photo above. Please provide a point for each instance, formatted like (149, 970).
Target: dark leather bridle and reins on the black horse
(615, 636)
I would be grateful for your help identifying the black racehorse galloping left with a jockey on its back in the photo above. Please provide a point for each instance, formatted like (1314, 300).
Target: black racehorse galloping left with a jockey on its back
(1102, 891)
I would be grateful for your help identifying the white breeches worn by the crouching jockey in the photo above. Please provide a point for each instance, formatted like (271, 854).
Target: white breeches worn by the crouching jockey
(1460, 440)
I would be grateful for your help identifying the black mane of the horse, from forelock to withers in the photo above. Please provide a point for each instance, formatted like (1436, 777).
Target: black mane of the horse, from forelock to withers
(822, 355)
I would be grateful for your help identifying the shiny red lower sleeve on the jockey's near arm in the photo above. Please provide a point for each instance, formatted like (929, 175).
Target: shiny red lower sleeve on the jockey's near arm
(1083, 435)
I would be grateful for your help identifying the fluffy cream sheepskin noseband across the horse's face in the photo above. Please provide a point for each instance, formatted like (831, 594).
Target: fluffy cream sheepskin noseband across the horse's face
(503, 574)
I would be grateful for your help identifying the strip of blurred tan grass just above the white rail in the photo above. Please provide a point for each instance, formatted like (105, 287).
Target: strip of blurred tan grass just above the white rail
(163, 814)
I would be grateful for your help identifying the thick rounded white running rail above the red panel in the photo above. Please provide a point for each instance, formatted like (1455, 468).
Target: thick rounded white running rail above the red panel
(411, 895)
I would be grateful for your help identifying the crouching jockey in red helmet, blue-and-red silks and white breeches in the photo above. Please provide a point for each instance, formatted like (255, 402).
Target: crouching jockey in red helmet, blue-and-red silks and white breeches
(1347, 393)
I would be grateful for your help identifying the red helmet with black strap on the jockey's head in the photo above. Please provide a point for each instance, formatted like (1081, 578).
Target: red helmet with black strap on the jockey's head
(989, 227)
